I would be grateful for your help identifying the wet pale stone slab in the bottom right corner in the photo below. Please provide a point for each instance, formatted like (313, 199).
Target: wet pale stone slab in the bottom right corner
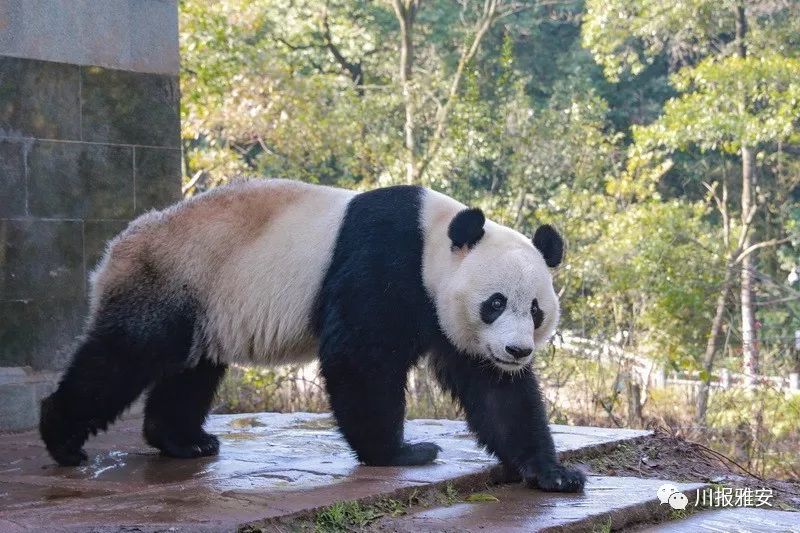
(733, 520)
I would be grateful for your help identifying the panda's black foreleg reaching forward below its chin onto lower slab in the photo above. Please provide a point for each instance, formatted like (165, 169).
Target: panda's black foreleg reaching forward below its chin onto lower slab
(507, 413)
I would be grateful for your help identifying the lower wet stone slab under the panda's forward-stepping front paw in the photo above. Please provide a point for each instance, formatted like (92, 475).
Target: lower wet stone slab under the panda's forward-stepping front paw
(608, 503)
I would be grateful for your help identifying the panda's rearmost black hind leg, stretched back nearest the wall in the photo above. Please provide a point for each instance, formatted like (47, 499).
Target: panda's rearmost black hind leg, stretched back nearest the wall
(132, 343)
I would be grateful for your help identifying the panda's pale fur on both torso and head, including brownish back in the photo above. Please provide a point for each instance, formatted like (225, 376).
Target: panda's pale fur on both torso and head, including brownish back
(254, 255)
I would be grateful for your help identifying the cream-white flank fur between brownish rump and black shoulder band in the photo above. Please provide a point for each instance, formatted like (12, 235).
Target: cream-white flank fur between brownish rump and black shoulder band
(260, 309)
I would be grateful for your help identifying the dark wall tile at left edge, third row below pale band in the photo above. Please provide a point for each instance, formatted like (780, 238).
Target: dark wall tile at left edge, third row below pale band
(41, 259)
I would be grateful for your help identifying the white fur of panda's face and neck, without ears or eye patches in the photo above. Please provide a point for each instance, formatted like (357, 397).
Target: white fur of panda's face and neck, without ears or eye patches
(503, 261)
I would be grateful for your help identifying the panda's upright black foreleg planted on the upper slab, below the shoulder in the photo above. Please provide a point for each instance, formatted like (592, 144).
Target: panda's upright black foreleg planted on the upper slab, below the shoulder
(367, 394)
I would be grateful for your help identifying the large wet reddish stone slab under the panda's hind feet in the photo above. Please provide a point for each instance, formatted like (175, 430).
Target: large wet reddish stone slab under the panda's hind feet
(270, 465)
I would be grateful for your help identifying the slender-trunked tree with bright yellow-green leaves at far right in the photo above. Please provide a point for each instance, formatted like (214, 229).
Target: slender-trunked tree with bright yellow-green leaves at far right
(734, 99)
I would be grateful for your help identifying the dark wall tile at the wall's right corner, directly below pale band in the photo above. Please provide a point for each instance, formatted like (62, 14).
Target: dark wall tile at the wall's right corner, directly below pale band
(129, 107)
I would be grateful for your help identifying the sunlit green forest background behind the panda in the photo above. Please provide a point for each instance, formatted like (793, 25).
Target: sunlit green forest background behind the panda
(661, 138)
